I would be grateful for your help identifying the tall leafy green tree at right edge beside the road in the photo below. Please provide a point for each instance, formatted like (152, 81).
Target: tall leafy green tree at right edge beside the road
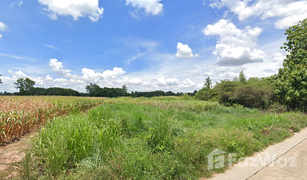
(291, 81)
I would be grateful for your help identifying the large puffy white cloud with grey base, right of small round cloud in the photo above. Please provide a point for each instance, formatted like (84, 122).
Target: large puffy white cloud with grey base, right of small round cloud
(235, 46)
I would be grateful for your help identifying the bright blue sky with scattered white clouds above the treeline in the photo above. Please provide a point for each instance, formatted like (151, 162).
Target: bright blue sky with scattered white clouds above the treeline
(147, 45)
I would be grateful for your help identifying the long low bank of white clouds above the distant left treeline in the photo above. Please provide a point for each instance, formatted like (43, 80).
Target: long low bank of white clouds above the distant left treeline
(115, 77)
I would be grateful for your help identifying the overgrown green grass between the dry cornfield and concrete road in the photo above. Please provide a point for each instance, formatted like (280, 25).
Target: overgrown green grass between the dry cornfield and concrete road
(152, 138)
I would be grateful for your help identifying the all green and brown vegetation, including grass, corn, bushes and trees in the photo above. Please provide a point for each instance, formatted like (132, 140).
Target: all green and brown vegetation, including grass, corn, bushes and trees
(159, 137)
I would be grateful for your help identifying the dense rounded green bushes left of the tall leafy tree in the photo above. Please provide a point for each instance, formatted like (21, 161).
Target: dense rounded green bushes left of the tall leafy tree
(252, 93)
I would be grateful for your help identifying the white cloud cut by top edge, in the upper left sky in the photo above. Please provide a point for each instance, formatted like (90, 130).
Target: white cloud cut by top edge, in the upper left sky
(74, 8)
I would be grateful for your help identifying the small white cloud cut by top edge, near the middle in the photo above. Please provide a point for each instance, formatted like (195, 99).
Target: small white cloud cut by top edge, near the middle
(153, 7)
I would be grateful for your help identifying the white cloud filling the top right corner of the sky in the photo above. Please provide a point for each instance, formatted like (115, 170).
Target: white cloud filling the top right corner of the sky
(288, 12)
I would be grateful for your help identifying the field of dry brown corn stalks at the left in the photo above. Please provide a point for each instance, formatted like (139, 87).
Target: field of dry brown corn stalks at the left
(21, 115)
